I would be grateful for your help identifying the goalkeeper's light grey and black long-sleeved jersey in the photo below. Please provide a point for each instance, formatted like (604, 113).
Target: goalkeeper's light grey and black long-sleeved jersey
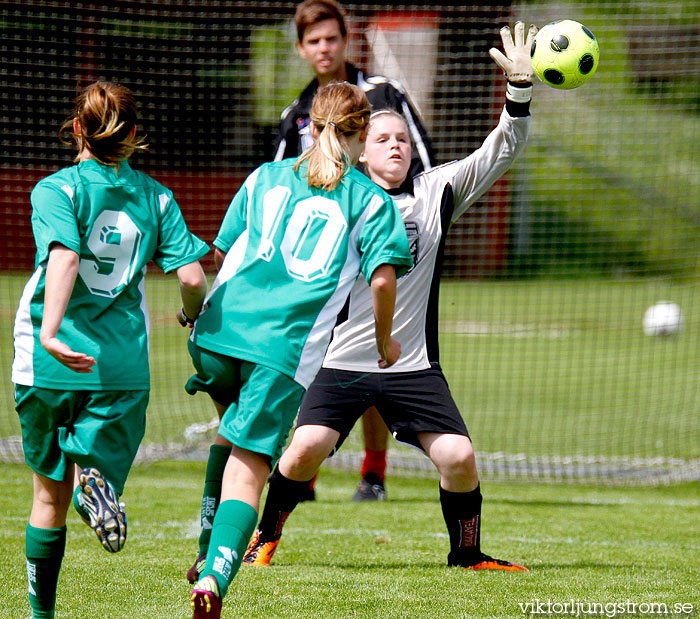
(439, 197)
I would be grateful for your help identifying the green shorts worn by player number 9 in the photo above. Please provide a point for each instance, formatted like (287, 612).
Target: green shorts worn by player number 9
(91, 428)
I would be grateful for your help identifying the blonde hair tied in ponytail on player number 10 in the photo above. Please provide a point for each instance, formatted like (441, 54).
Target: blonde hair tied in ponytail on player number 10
(338, 109)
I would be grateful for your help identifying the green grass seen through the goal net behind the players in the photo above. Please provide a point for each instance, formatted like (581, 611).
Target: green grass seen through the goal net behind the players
(545, 368)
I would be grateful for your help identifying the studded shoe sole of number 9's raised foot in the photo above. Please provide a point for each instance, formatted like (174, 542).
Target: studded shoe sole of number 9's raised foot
(107, 517)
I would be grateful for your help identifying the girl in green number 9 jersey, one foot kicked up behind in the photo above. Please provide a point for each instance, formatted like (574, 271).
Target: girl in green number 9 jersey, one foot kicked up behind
(81, 340)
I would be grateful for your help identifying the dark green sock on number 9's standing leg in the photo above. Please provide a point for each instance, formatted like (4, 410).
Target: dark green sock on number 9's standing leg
(44, 549)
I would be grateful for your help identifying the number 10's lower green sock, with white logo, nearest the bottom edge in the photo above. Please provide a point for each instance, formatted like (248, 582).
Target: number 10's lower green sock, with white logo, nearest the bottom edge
(233, 526)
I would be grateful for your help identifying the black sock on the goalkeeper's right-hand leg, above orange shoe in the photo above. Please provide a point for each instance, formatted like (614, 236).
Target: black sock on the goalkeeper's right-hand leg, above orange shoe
(462, 513)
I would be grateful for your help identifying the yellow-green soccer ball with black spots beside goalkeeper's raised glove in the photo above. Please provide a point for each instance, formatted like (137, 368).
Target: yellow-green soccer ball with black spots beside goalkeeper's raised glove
(564, 54)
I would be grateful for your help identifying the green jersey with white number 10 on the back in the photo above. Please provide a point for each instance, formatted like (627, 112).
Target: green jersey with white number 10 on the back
(293, 253)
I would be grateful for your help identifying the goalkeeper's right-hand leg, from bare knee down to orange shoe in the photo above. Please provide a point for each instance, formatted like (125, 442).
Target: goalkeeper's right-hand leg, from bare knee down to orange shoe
(460, 498)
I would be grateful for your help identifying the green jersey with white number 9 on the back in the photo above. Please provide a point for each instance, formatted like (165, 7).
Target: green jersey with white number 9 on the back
(116, 221)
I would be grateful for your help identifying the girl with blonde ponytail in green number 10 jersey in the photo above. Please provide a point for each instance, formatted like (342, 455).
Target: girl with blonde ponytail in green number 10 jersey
(294, 240)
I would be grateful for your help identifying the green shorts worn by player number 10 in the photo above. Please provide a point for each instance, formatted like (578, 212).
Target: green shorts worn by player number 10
(262, 403)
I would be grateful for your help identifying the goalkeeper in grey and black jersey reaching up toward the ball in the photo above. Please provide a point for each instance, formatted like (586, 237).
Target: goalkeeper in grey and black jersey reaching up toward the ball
(412, 396)
